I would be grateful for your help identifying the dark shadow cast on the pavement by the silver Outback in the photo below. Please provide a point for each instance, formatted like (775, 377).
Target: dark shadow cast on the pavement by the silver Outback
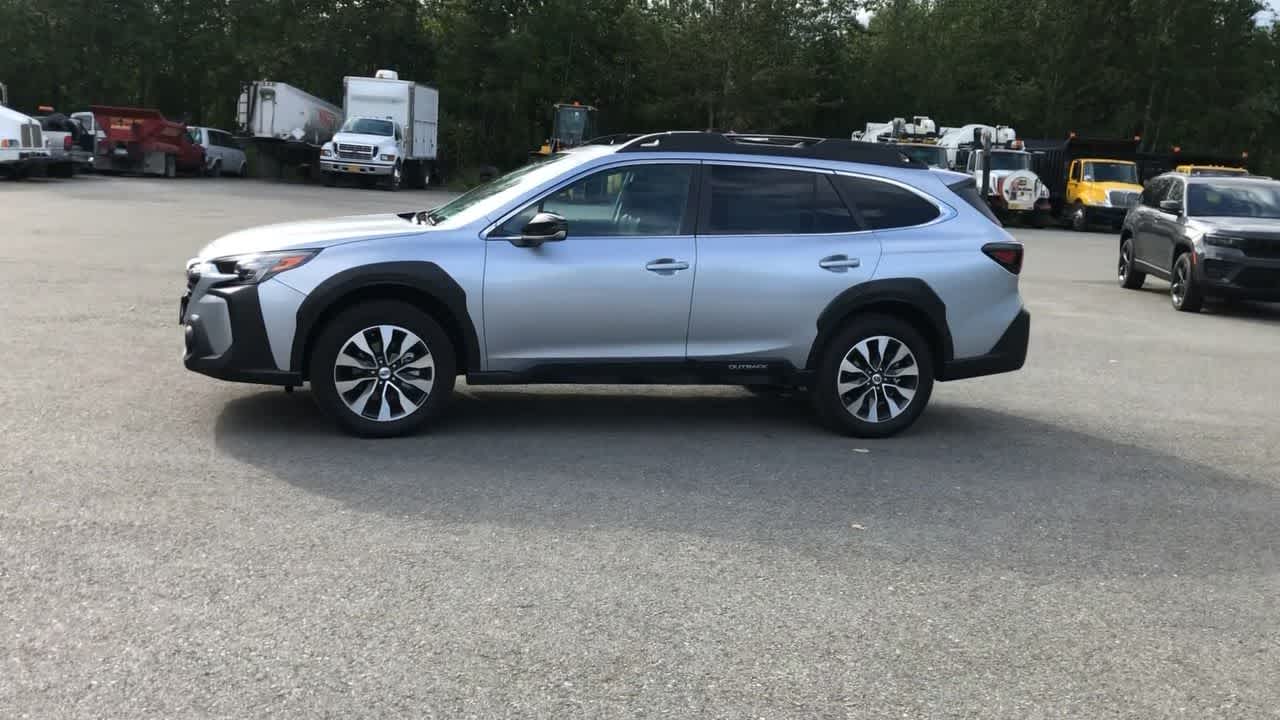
(964, 486)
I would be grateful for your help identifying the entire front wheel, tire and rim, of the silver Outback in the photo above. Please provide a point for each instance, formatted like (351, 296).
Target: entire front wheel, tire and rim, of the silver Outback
(383, 370)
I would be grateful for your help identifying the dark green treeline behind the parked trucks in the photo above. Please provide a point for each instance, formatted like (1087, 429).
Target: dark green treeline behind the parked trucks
(1199, 74)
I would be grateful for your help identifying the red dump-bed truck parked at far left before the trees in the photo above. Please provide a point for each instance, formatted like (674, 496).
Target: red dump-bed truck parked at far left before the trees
(143, 142)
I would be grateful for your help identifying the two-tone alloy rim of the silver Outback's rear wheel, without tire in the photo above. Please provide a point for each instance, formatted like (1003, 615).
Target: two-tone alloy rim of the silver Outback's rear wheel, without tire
(877, 380)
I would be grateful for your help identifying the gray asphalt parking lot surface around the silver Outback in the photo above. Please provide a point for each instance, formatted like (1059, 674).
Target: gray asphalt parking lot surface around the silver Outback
(1098, 536)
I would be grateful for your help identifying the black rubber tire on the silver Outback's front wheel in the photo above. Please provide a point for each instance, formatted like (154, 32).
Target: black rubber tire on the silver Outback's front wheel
(335, 338)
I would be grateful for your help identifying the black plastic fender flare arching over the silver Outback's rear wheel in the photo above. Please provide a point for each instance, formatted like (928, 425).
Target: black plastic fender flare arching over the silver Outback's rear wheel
(912, 293)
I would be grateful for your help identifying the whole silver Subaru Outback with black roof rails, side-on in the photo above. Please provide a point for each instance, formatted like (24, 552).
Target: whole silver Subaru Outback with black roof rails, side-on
(839, 268)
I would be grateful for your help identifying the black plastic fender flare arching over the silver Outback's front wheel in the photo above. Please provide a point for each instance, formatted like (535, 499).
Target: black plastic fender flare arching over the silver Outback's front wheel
(426, 281)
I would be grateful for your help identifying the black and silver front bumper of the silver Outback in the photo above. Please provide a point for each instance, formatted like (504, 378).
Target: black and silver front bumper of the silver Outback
(226, 338)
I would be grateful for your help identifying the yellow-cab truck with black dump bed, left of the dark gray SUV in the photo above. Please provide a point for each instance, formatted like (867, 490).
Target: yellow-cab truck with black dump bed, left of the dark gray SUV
(1090, 181)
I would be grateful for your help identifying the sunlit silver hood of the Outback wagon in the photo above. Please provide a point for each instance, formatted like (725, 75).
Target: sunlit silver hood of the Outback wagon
(310, 235)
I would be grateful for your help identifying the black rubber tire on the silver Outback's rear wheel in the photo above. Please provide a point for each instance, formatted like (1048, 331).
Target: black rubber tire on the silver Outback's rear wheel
(831, 405)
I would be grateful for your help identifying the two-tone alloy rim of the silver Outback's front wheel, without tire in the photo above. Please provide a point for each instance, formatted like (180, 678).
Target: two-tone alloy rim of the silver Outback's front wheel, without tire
(385, 373)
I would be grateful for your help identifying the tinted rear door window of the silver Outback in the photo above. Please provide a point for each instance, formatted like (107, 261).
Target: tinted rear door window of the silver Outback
(769, 202)
